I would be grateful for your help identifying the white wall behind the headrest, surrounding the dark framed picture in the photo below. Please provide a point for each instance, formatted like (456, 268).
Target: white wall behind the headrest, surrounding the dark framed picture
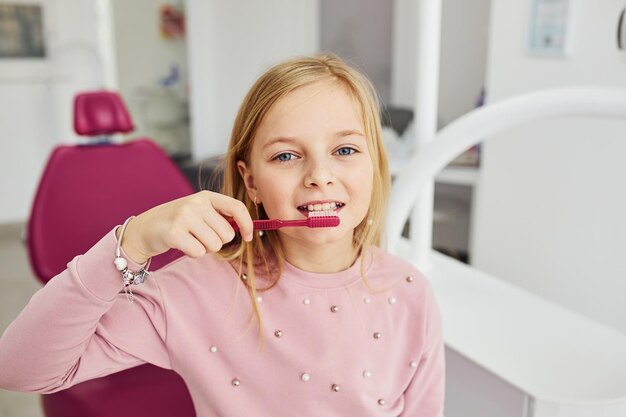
(36, 98)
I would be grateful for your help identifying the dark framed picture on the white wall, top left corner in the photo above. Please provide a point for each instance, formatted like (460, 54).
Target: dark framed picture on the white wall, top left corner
(21, 31)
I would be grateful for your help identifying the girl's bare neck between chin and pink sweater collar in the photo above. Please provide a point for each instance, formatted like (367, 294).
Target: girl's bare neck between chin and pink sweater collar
(326, 258)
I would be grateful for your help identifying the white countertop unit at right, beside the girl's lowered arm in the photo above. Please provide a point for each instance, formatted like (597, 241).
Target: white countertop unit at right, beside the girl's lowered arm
(569, 364)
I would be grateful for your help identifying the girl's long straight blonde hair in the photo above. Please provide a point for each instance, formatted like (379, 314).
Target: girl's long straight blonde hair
(274, 84)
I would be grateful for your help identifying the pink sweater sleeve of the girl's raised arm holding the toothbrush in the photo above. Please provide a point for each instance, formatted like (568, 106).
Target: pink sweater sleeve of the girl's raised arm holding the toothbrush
(80, 326)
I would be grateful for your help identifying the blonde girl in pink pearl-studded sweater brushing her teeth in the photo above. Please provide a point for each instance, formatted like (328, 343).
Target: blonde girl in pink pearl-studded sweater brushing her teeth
(298, 321)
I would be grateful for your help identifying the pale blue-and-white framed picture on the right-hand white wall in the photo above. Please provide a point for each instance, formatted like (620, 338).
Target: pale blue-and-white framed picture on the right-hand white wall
(550, 27)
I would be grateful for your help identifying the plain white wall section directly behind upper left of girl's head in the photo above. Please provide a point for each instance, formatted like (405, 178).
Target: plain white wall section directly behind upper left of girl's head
(230, 44)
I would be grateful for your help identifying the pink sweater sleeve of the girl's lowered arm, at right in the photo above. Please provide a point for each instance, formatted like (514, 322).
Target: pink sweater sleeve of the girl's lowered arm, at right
(424, 396)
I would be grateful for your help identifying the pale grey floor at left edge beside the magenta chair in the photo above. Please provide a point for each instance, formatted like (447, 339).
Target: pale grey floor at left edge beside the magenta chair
(17, 285)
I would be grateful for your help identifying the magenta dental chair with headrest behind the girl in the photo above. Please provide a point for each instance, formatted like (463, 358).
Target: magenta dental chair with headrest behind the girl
(84, 192)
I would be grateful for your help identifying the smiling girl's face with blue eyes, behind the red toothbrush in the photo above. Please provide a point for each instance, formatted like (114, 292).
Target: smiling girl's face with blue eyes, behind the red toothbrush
(310, 151)
